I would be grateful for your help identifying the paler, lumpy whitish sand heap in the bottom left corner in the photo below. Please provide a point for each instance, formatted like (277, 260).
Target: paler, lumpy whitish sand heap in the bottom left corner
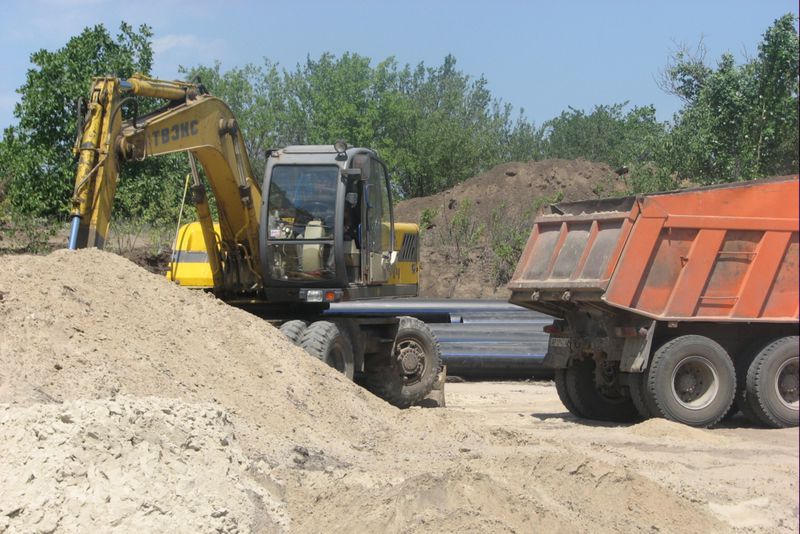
(144, 464)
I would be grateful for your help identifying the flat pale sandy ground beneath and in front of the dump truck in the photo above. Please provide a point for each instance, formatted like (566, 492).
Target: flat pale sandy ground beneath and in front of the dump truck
(745, 476)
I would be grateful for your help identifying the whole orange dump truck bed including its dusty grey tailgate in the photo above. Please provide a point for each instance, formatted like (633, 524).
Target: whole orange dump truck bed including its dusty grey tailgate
(723, 253)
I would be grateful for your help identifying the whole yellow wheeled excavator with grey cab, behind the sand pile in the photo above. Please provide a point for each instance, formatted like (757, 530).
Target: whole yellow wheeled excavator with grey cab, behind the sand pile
(318, 229)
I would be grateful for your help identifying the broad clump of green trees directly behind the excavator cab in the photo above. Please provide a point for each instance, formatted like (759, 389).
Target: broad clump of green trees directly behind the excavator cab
(434, 126)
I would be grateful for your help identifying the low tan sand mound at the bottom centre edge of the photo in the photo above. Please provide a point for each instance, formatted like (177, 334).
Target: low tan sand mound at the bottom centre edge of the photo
(549, 491)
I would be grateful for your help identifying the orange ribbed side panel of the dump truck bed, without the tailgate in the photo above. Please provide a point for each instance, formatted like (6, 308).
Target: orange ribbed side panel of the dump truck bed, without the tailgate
(714, 254)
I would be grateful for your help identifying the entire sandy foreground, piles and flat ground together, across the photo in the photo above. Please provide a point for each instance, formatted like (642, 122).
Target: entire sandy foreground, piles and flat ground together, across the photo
(93, 350)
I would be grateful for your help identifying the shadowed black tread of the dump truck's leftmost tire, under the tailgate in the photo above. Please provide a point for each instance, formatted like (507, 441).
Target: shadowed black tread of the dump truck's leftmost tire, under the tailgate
(582, 389)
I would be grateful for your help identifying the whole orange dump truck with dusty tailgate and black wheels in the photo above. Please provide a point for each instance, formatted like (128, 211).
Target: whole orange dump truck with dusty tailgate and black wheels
(682, 305)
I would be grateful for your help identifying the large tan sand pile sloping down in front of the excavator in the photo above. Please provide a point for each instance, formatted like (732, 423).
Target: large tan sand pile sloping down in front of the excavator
(90, 324)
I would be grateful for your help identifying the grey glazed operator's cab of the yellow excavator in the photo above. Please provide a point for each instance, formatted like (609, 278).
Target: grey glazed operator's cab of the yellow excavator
(327, 226)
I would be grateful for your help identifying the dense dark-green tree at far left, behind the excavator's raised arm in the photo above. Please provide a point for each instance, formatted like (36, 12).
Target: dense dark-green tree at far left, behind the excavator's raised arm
(37, 151)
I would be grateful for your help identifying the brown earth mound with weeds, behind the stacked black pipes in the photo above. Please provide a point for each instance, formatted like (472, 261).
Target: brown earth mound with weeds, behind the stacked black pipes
(460, 259)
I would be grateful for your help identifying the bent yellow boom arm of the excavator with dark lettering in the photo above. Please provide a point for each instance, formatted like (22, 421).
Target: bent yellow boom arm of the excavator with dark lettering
(193, 122)
